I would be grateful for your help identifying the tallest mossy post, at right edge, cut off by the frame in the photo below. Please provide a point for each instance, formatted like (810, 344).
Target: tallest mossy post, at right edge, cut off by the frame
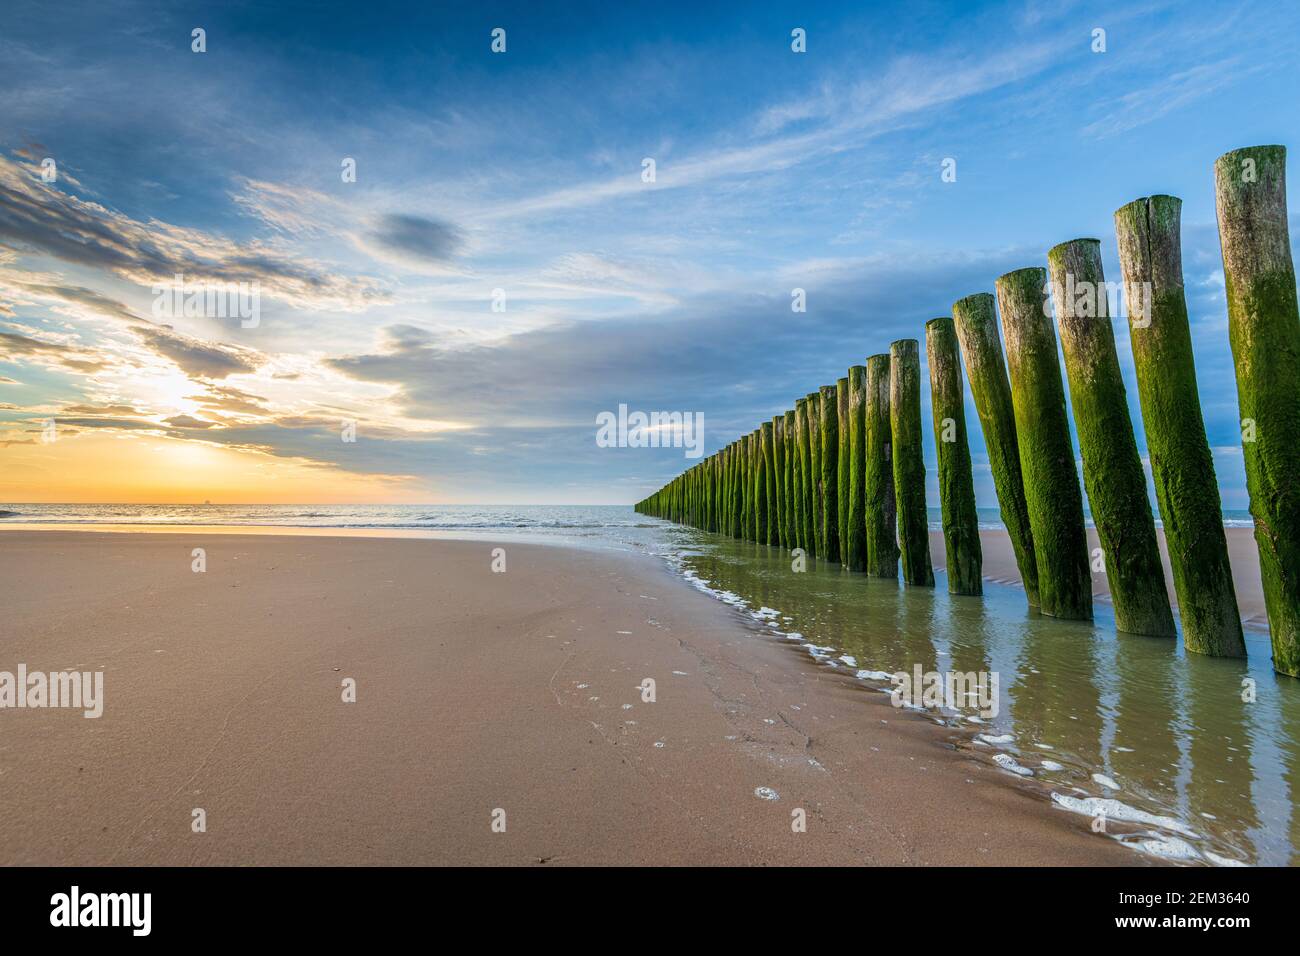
(1264, 330)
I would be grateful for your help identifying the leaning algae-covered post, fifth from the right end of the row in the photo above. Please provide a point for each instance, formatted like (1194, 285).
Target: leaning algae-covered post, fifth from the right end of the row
(976, 321)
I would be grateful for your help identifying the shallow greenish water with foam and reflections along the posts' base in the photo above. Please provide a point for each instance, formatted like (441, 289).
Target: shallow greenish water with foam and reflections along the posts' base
(1164, 743)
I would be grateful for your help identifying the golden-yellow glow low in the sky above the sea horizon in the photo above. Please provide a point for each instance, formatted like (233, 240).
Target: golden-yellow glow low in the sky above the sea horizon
(146, 469)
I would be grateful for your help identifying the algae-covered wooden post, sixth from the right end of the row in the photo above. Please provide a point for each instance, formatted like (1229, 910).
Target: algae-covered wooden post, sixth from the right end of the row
(956, 481)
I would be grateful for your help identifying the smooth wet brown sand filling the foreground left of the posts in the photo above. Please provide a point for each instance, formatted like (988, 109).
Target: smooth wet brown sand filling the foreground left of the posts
(475, 691)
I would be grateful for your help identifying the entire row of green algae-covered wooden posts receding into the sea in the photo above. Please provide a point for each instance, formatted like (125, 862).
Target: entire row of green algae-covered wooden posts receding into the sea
(843, 478)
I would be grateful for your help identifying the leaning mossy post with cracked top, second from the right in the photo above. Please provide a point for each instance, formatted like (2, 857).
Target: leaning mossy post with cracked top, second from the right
(1181, 462)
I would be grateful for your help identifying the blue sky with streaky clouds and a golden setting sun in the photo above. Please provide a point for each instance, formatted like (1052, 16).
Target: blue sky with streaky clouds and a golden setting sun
(501, 271)
